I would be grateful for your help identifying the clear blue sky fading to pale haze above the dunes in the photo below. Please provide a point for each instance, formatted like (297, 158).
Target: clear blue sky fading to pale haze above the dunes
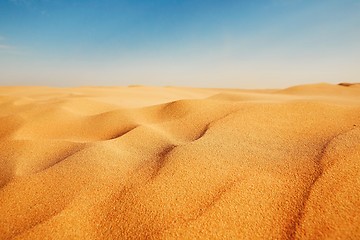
(196, 43)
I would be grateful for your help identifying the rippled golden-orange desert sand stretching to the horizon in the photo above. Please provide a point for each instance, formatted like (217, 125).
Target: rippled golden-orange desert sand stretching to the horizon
(180, 163)
